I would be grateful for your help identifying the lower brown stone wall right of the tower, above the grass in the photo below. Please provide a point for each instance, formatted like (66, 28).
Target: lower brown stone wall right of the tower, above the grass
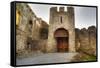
(86, 40)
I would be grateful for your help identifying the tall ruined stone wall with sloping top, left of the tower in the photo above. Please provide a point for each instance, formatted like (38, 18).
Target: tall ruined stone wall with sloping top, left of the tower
(28, 28)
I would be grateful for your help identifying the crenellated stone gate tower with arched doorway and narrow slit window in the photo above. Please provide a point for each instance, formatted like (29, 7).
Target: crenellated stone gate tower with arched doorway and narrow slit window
(61, 36)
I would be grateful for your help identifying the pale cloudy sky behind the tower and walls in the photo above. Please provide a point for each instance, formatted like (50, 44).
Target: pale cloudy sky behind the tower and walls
(84, 16)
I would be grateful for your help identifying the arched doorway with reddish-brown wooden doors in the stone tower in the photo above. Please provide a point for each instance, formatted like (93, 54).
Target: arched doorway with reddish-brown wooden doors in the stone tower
(62, 38)
